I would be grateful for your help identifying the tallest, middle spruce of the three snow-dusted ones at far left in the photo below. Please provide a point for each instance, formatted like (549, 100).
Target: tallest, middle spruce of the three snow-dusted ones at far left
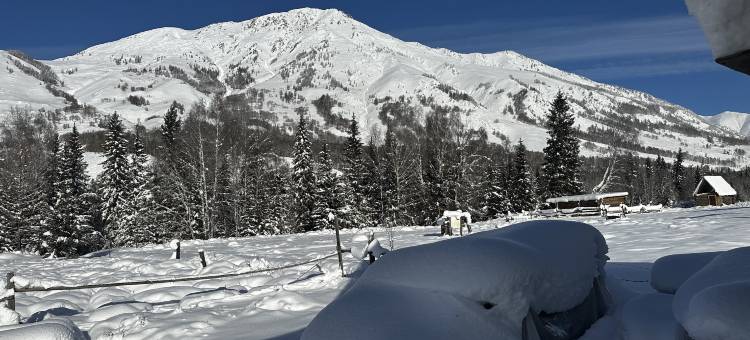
(115, 180)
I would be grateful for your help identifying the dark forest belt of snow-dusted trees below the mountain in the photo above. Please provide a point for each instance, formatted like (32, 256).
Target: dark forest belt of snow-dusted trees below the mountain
(209, 171)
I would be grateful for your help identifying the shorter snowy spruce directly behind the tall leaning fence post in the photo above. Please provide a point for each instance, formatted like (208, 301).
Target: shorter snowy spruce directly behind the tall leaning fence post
(326, 198)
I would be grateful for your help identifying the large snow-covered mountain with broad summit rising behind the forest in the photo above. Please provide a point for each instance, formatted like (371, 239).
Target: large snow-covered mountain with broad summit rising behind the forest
(279, 62)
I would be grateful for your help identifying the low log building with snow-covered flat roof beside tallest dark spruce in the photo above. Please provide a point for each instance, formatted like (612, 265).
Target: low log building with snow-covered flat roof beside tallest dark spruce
(587, 204)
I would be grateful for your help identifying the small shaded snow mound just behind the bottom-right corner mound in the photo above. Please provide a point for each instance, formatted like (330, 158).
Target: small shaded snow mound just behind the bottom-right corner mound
(670, 272)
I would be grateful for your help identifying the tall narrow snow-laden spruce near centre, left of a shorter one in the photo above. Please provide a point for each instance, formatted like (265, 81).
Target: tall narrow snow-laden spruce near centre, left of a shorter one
(303, 176)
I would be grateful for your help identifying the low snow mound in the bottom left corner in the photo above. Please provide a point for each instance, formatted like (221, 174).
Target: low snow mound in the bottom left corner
(58, 329)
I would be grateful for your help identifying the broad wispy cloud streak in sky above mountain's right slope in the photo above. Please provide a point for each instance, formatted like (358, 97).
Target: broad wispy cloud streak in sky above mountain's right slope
(570, 39)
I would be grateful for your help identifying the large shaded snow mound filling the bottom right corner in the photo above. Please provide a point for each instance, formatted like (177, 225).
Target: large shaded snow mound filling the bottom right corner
(714, 303)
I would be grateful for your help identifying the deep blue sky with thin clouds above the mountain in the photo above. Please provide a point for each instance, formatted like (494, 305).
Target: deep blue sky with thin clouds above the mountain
(648, 45)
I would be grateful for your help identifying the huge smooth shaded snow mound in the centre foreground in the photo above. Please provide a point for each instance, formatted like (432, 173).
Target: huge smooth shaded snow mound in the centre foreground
(479, 286)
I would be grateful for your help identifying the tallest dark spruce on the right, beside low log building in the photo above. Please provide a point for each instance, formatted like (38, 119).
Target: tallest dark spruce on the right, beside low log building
(561, 162)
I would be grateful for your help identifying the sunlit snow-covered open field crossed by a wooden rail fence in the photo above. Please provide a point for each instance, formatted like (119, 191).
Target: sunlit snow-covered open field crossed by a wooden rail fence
(279, 305)
